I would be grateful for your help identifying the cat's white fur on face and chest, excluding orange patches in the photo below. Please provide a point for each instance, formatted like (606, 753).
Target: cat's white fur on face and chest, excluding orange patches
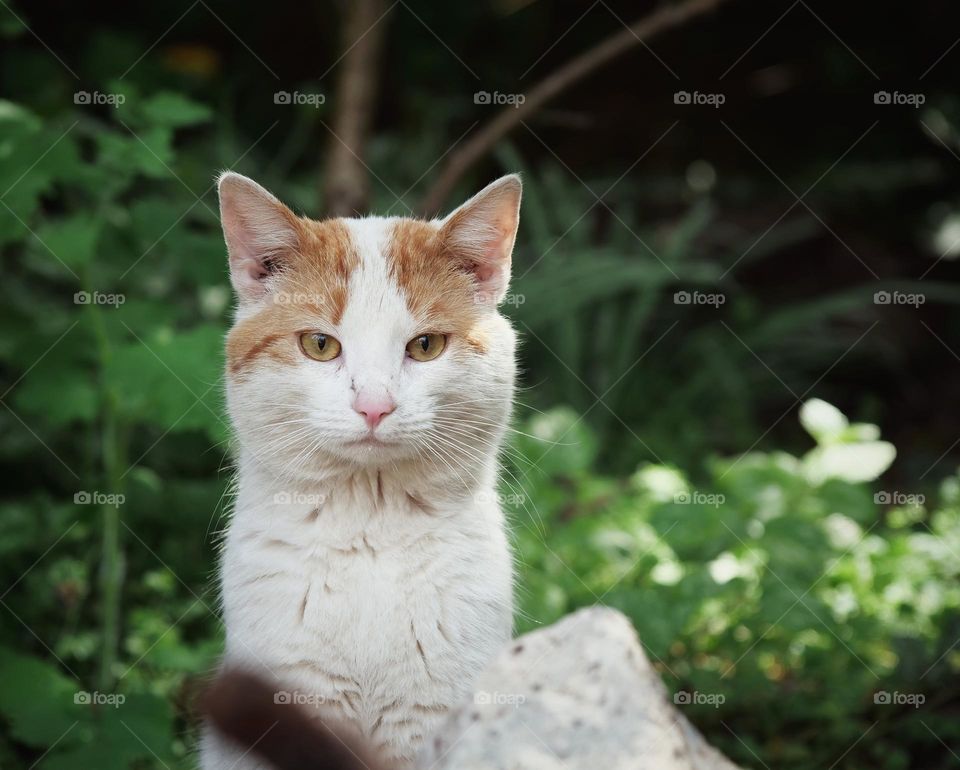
(373, 583)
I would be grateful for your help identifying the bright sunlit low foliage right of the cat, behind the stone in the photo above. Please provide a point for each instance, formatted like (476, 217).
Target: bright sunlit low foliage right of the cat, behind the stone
(780, 585)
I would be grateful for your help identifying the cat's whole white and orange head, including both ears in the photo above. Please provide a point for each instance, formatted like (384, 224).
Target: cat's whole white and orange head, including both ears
(371, 341)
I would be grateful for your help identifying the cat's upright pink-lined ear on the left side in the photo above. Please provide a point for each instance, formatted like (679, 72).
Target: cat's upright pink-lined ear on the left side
(261, 234)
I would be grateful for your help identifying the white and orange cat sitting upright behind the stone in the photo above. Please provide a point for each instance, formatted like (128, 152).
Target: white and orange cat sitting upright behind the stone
(370, 380)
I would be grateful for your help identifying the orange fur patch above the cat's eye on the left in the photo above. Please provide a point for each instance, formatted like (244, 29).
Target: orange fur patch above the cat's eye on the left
(310, 287)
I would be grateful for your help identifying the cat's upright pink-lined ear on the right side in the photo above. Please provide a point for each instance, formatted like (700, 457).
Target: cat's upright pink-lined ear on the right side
(481, 234)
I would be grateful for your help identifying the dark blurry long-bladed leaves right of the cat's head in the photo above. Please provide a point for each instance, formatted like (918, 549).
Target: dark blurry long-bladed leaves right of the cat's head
(595, 291)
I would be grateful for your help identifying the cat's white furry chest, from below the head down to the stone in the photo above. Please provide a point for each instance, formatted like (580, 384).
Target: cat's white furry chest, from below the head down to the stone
(381, 619)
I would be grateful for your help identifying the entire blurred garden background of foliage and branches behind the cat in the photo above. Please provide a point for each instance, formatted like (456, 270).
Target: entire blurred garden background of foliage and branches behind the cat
(736, 281)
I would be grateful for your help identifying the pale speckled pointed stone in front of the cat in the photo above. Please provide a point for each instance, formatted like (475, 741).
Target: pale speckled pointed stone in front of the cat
(578, 695)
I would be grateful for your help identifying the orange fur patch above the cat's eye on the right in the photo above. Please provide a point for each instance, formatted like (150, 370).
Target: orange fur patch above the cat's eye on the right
(435, 282)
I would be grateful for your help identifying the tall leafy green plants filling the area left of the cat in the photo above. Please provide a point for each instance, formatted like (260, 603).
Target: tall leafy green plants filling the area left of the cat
(114, 335)
